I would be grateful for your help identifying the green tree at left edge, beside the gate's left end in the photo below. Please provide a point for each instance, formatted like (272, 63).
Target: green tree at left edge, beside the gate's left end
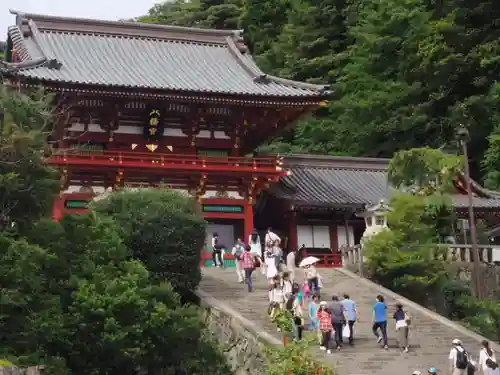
(27, 184)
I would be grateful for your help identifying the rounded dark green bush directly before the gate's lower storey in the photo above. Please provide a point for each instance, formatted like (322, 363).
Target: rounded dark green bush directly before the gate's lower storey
(163, 229)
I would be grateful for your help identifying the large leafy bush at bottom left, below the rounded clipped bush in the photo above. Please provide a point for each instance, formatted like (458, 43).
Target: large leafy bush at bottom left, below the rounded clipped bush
(102, 312)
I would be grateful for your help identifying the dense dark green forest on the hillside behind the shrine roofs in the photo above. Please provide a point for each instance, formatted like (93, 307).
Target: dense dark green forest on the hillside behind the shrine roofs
(406, 73)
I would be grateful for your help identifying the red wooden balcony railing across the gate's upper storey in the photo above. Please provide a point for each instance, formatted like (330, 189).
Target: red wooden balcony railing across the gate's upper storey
(186, 162)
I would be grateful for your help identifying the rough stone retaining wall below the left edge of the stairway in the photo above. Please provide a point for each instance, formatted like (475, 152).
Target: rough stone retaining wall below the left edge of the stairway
(241, 341)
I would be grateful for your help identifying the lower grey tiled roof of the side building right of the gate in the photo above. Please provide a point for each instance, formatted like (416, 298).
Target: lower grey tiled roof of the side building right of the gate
(337, 181)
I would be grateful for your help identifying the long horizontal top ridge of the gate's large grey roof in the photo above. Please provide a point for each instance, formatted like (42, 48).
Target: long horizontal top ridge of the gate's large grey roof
(133, 28)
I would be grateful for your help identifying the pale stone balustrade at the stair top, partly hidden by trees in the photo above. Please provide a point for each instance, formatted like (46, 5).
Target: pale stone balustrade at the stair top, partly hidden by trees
(453, 253)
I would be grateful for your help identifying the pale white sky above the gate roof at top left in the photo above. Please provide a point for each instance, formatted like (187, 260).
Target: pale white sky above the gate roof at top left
(99, 9)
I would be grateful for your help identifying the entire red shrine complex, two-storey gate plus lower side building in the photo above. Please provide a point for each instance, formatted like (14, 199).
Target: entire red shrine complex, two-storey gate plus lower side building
(148, 105)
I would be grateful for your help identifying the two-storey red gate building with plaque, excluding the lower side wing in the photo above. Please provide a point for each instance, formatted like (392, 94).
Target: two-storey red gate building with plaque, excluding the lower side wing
(150, 105)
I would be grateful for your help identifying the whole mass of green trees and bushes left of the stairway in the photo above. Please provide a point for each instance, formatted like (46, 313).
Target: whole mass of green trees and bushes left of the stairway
(74, 294)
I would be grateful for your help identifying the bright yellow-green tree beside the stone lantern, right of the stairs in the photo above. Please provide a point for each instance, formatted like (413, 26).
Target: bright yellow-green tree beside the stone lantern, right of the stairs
(404, 257)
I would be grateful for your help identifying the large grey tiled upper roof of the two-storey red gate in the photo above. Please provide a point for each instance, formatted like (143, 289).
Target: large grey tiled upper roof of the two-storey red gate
(144, 56)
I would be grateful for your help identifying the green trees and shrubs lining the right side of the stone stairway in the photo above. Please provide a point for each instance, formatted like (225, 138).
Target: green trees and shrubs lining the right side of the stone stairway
(408, 259)
